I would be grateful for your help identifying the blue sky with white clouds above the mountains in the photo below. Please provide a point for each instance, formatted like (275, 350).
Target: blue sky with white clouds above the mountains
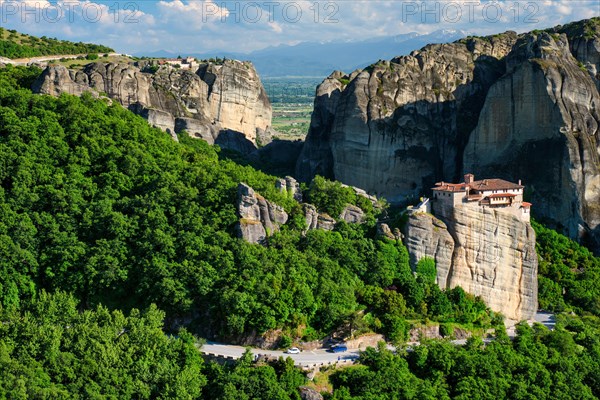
(195, 26)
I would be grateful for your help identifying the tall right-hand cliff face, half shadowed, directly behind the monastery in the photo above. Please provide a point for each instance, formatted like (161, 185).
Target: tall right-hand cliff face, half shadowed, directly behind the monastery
(540, 122)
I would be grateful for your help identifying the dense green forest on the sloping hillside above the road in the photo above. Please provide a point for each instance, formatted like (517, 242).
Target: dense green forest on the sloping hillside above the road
(96, 203)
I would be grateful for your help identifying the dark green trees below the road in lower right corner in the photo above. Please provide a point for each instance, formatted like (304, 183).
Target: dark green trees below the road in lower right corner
(538, 364)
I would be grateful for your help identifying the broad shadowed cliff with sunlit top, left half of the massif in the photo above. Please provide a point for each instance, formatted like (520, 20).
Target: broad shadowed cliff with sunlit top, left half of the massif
(392, 128)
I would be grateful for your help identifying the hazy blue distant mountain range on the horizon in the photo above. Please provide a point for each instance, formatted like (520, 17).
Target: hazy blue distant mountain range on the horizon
(320, 59)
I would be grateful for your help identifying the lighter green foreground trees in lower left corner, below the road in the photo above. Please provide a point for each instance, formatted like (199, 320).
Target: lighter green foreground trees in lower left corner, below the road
(49, 349)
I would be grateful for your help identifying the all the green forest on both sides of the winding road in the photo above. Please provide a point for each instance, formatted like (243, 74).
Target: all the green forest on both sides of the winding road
(119, 251)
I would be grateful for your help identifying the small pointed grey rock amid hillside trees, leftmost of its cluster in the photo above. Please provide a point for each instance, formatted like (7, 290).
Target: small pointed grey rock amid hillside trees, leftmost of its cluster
(259, 217)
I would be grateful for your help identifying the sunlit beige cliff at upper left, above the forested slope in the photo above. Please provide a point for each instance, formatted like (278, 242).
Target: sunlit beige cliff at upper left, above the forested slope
(226, 100)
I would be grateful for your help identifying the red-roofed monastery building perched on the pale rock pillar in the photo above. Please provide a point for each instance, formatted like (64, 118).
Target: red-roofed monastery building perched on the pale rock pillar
(495, 193)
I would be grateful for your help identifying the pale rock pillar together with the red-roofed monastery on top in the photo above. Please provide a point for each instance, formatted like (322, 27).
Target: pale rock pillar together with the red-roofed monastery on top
(480, 236)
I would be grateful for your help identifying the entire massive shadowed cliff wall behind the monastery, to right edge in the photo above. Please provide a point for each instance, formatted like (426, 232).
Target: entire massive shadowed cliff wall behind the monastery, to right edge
(508, 106)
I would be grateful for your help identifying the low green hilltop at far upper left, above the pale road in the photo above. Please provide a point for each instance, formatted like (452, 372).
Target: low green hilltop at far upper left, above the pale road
(17, 45)
